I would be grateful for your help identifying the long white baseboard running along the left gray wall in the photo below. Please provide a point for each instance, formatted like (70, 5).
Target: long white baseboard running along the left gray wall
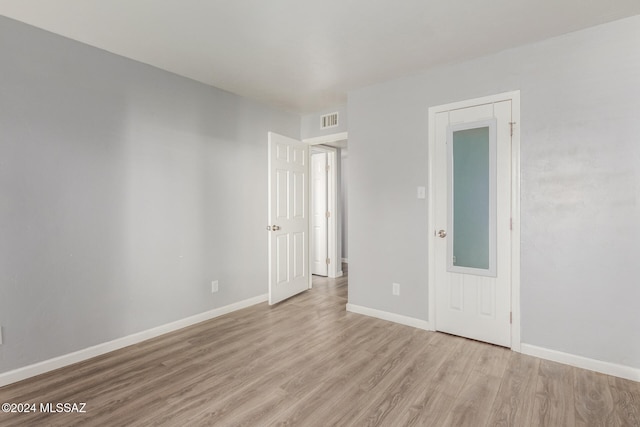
(97, 350)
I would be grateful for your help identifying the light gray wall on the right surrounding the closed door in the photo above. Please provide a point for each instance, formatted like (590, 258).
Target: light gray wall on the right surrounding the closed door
(580, 187)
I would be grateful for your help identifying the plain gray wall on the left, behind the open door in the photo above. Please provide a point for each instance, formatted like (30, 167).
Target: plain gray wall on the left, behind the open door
(124, 191)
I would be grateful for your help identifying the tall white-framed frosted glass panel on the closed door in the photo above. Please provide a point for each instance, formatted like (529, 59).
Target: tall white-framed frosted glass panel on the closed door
(472, 203)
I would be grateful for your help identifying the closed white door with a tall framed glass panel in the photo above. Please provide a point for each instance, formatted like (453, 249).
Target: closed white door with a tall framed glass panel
(472, 217)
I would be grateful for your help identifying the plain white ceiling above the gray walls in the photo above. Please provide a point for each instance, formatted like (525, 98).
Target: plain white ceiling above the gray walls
(302, 55)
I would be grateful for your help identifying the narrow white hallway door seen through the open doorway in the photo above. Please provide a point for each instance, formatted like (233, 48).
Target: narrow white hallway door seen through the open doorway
(319, 221)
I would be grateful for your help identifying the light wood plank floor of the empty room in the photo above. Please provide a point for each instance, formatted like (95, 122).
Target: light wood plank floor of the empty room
(307, 362)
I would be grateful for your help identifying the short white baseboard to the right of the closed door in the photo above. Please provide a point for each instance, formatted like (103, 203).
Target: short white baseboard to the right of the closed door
(608, 368)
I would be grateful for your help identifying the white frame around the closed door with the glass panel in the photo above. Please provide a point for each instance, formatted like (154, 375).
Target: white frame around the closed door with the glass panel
(514, 97)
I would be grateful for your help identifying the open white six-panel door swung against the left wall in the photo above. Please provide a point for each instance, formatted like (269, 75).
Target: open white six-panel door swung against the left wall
(288, 217)
